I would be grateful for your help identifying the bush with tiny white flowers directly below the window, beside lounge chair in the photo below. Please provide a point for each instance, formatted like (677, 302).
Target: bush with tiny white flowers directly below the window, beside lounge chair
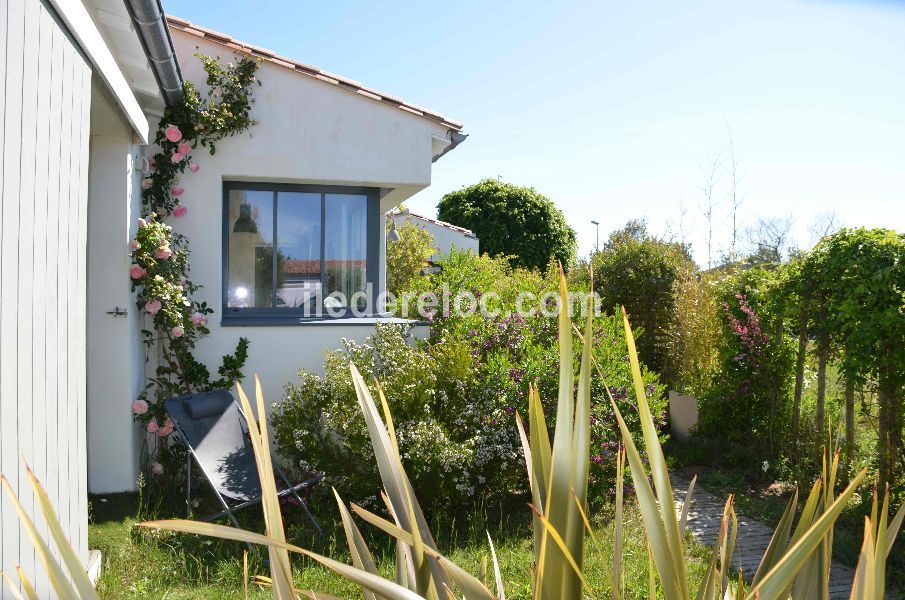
(318, 422)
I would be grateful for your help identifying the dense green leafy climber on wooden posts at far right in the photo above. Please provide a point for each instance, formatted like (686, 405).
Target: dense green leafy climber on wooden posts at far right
(847, 298)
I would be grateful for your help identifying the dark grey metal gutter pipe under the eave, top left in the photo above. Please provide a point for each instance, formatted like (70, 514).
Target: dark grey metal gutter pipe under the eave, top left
(151, 24)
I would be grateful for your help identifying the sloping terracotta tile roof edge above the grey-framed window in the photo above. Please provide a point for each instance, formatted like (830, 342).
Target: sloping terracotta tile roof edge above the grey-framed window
(337, 80)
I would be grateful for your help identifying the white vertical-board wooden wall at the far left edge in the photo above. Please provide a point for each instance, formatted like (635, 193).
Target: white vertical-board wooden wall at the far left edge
(44, 106)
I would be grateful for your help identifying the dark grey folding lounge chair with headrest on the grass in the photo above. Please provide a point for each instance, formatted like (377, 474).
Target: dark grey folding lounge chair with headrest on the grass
(215, 431)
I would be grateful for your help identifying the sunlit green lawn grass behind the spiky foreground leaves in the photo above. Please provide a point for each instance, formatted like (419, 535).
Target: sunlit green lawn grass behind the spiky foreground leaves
(140, 564)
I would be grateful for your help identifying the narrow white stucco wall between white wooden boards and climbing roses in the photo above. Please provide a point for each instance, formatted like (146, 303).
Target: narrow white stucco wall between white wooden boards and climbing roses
(115, 352)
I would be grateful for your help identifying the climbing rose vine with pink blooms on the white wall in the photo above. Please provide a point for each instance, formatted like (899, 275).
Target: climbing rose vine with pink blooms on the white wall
(159, 272)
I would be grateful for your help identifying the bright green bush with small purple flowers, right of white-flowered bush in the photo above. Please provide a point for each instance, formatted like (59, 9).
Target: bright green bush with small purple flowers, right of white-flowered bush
(519, 347)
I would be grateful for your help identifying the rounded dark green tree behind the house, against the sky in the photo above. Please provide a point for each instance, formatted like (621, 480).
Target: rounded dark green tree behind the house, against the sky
(513, 221)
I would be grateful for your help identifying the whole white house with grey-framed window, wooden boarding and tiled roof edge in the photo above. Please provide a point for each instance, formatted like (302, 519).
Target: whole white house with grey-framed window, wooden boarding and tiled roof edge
(85, 82)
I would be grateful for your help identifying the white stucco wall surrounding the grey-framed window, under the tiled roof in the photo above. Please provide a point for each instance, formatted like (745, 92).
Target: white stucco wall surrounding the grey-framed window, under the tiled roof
(307, 131)
